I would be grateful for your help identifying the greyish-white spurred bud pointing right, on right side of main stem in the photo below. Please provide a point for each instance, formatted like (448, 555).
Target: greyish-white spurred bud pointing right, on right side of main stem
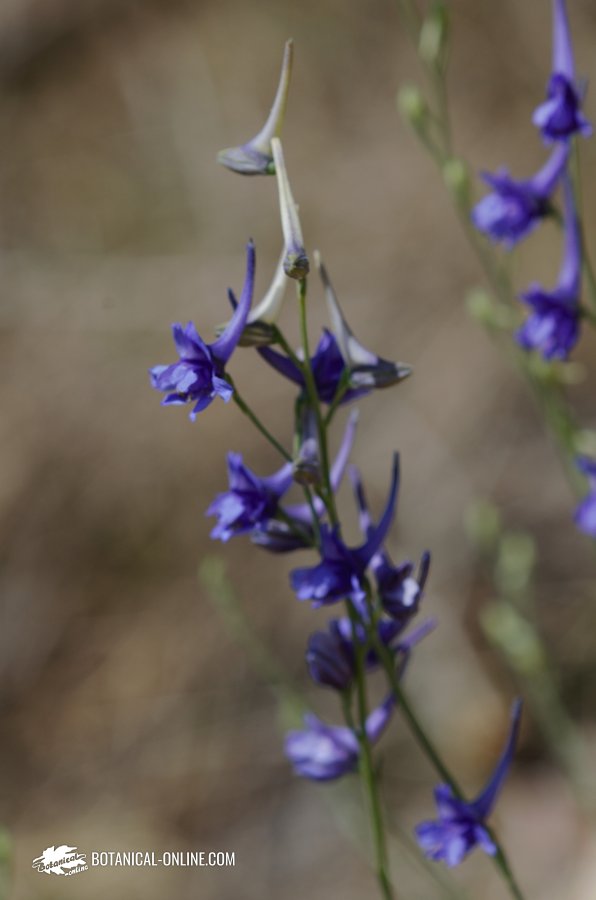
(366, 368)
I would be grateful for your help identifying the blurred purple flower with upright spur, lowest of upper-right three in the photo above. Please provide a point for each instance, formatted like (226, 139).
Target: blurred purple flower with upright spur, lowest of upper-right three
(554, 324)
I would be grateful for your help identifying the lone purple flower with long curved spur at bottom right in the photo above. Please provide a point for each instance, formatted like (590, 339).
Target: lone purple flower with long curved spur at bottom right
(461, 825)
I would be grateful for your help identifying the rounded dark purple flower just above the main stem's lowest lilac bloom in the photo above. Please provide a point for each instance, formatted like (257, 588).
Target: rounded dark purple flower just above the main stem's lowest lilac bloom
(331, 657)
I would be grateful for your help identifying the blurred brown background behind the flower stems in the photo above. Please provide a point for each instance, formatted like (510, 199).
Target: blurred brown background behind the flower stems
(130, 719)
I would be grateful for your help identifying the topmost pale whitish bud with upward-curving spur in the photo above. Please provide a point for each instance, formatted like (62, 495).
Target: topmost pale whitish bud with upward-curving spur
(255, 157)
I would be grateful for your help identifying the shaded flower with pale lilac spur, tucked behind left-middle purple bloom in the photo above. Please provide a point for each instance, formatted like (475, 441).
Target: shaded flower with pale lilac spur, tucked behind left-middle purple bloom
(295, 530)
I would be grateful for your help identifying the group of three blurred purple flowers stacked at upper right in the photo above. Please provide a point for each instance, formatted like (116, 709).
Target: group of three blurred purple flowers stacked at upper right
(514, 208)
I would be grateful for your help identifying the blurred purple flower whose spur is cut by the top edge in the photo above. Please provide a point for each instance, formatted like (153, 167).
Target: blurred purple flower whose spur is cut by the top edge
(560, 116)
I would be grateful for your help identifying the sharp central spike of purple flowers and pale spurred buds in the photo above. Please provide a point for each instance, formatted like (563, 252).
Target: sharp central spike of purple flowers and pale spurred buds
(375, 600)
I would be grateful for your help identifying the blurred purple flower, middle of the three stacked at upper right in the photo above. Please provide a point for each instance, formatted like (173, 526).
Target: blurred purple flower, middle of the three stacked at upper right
(514, 208)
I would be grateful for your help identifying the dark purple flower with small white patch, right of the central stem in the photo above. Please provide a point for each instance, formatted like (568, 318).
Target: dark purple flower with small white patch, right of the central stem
(397, 588)
